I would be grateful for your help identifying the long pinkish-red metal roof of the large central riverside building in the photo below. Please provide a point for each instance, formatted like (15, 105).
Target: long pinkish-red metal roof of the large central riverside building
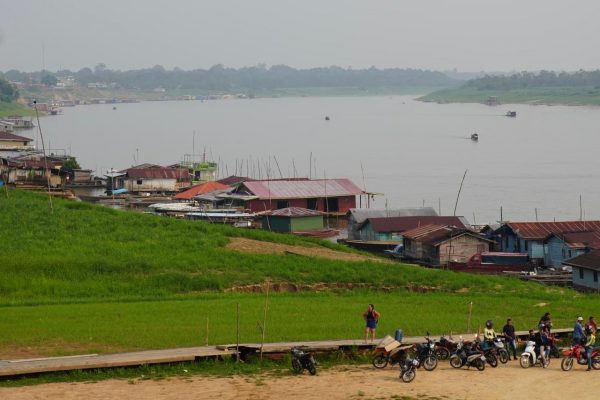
(302, 189)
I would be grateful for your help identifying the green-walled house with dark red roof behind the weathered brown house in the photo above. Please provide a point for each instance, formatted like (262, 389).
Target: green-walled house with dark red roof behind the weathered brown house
(391, 228)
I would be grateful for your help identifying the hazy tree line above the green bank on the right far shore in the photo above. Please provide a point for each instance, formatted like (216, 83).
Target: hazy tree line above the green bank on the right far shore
(525, 80)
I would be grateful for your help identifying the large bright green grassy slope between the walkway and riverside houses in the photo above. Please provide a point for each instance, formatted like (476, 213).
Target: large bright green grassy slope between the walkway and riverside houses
(91, 279)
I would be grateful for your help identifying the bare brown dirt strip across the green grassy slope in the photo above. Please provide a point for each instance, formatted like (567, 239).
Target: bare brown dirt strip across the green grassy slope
(256, 246)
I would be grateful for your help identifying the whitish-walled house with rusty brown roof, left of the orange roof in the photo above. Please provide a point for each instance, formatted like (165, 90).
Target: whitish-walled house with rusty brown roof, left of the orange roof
(148, 178)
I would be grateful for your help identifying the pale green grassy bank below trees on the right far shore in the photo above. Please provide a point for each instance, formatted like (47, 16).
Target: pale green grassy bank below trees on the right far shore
(542, 95)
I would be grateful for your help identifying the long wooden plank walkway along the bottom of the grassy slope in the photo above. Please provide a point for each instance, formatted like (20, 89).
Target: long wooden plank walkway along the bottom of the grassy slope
(11, 368)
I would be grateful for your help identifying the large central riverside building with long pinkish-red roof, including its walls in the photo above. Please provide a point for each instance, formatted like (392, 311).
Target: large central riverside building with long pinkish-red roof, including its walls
(332, 196)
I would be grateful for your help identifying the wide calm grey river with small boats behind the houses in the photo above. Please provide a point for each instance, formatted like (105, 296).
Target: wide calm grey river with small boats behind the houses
(415, 153)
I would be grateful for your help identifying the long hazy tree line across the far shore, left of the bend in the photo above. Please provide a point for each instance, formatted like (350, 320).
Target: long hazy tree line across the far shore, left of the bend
(221, 78)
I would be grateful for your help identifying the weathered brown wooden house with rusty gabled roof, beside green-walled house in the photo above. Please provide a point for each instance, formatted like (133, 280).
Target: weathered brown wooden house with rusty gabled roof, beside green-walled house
(438, 244)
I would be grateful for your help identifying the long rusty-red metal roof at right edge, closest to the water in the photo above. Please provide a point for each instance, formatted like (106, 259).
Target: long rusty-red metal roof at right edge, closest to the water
(541, 230)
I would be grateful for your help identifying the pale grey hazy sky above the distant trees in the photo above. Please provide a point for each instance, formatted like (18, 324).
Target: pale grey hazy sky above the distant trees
(470, 35)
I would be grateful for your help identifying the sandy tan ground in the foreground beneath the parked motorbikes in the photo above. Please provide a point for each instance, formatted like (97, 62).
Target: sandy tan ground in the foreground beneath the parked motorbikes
(353, 382)
